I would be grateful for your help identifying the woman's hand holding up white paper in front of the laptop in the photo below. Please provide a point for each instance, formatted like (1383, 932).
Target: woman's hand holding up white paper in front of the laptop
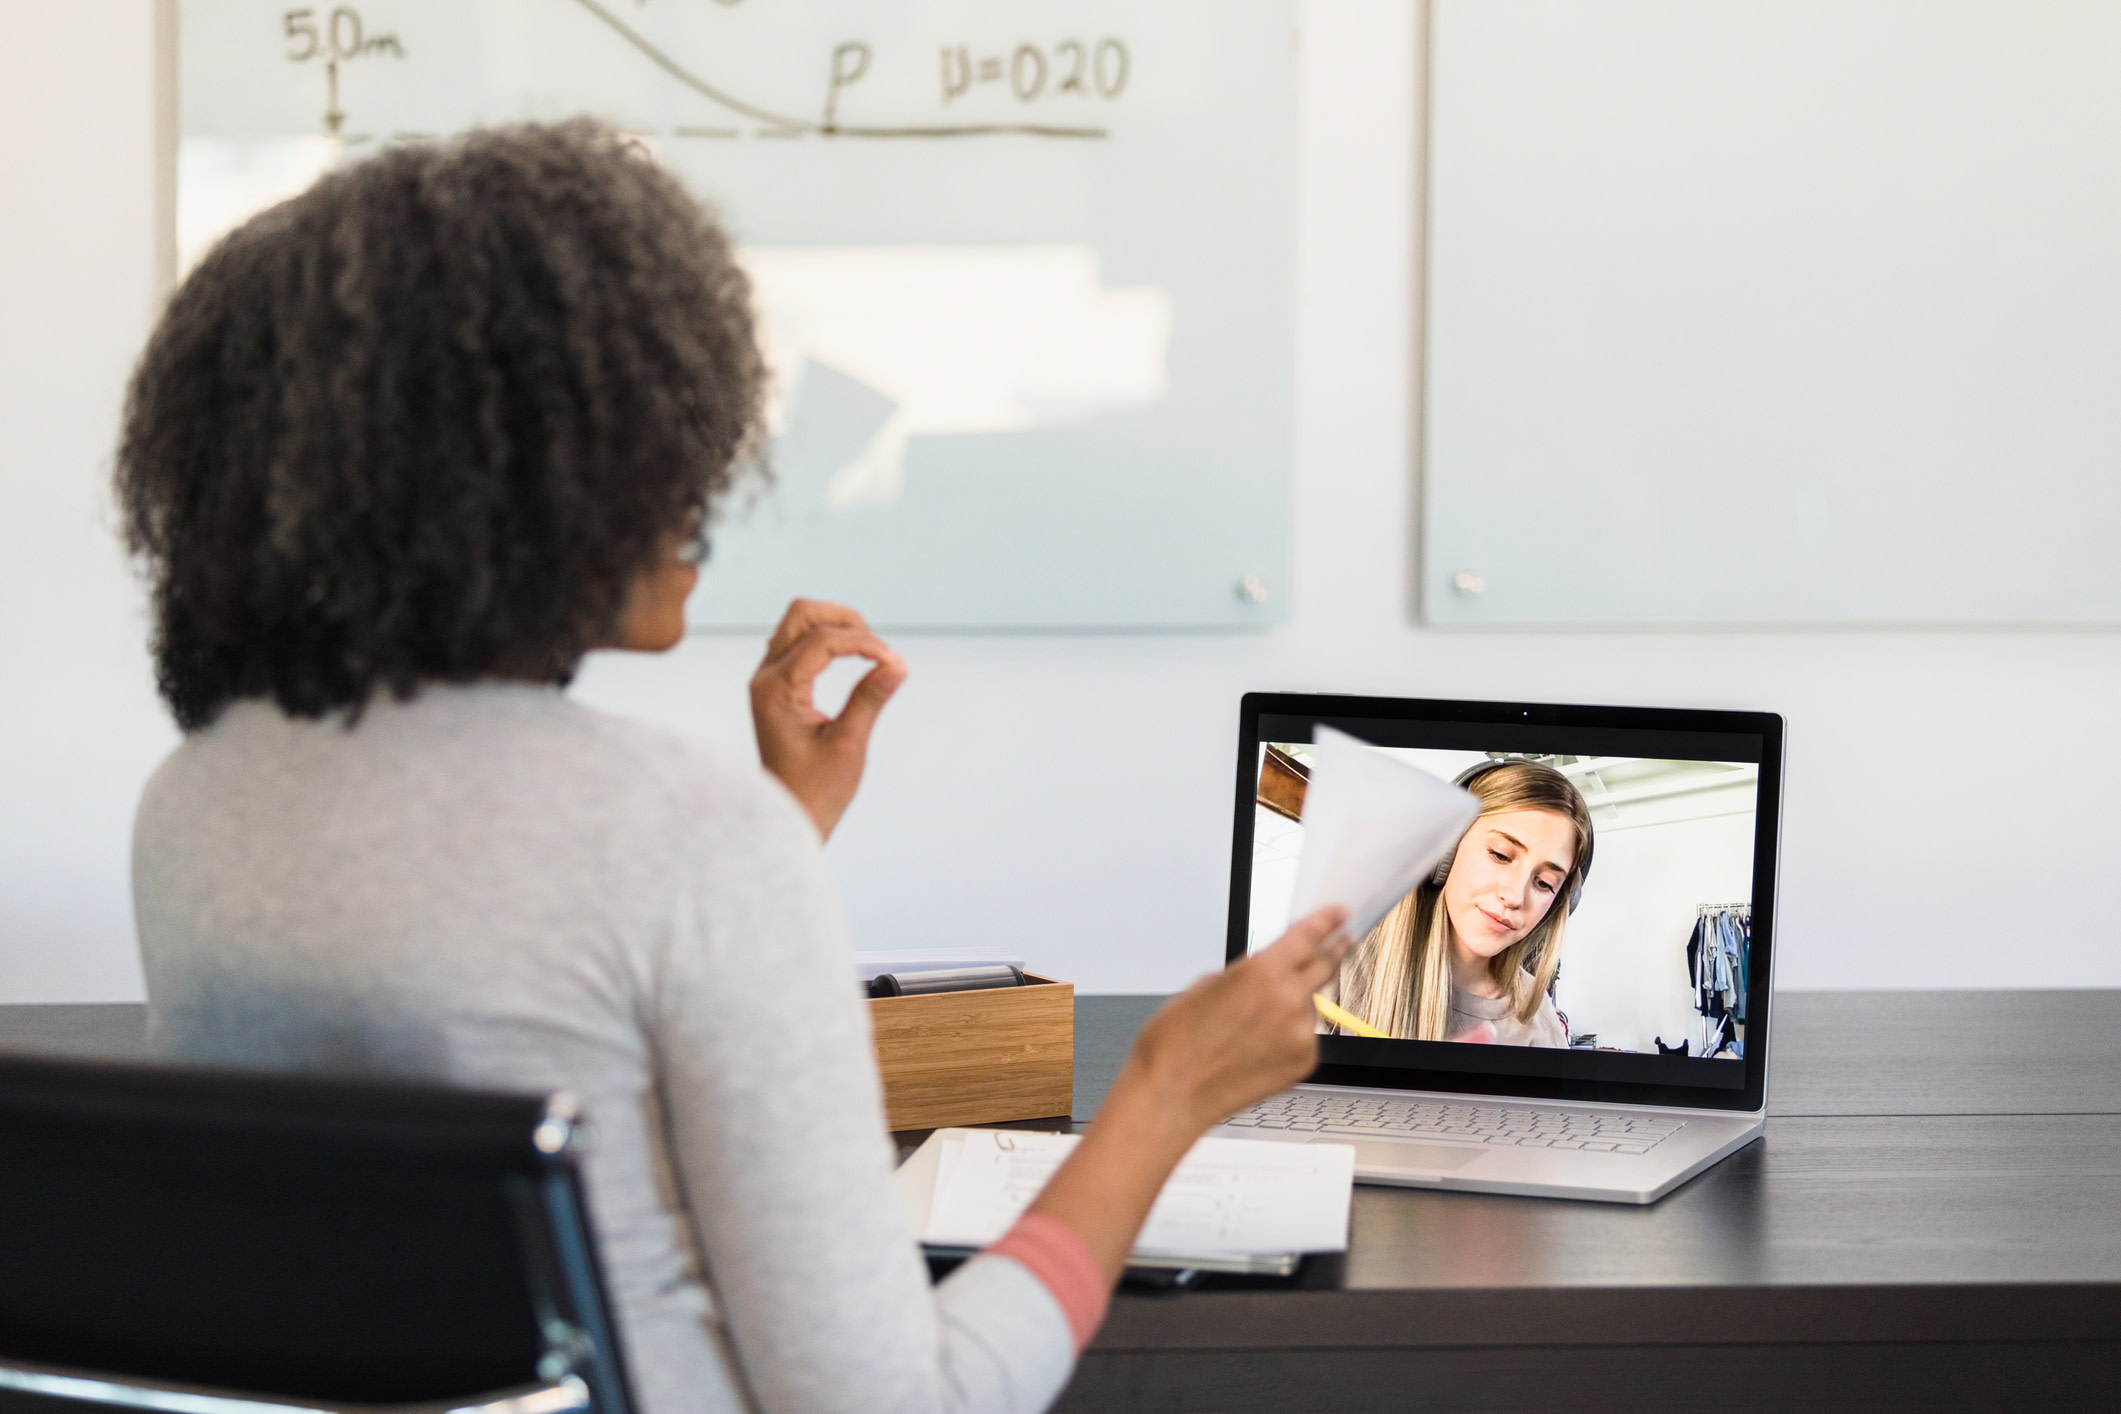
(1248, 1031)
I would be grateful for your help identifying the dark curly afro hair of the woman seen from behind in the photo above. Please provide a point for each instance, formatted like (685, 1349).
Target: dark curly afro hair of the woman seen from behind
(432, 419)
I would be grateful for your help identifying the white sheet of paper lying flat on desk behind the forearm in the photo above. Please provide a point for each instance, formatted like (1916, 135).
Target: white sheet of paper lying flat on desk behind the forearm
(1227, 1195)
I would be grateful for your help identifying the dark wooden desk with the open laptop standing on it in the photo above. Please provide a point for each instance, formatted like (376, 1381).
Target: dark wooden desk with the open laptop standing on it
(1931, 1222)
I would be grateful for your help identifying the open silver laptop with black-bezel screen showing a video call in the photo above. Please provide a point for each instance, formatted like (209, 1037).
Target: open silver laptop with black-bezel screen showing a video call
(1575, 1004)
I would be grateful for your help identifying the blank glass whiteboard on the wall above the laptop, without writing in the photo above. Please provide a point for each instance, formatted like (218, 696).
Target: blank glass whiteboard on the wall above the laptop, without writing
(1774, 313)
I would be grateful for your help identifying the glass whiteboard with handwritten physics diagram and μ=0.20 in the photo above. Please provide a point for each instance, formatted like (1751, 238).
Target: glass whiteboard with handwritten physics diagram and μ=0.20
(1026, 272)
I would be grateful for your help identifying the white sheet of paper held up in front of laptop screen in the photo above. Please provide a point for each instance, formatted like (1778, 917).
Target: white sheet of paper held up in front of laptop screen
(1373, 828)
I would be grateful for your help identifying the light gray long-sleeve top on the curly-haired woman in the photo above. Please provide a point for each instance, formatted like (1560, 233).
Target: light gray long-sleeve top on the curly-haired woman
(499, 887)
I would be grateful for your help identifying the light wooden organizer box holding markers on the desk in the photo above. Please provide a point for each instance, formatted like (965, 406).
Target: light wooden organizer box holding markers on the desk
(977, 1057)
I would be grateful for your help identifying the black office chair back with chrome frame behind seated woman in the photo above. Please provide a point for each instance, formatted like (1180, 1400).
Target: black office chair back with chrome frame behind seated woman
(203, 1235)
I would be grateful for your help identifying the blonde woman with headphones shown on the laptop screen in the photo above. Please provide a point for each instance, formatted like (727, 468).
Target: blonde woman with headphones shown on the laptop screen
(1473, 953)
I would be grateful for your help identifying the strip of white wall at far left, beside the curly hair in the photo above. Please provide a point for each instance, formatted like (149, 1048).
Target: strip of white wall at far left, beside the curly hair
(80, 724)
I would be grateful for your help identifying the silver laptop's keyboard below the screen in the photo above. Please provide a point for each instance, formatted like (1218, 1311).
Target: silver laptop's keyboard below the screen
(1454, 1123)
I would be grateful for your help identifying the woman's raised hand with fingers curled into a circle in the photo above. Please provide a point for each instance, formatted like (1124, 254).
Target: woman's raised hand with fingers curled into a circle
(820, 758)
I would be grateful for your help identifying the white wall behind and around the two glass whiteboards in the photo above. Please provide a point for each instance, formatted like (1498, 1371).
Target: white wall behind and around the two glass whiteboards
(1070, 798)
